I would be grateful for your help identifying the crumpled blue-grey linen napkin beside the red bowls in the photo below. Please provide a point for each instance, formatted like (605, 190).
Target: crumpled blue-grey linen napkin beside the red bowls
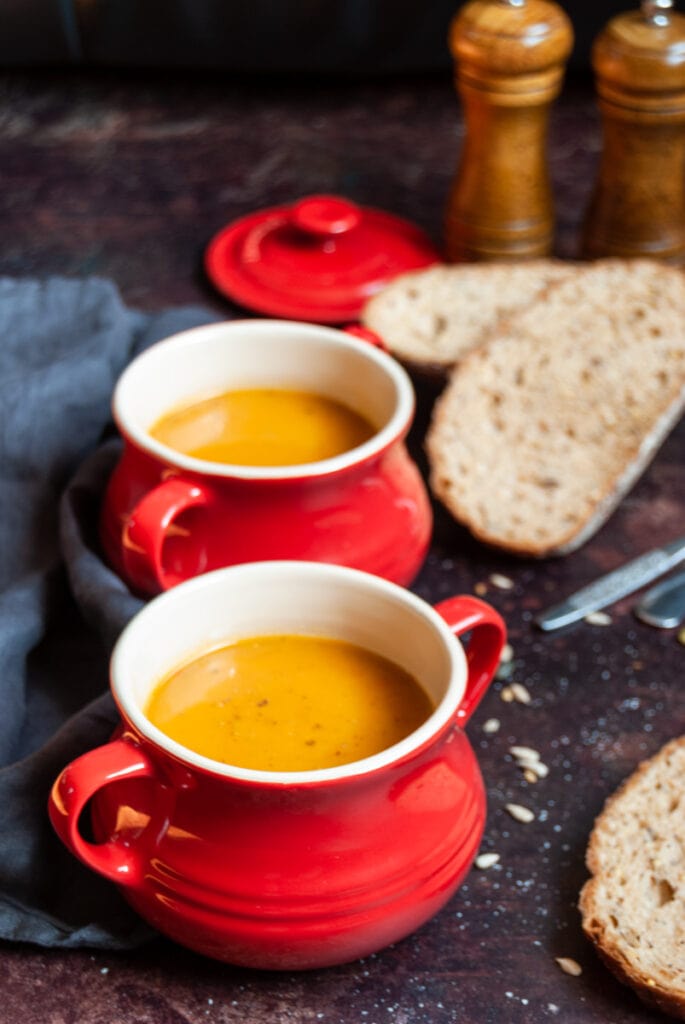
(63, 345)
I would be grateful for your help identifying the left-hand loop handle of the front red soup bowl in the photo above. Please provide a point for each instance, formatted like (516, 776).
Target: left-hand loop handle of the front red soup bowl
(80, 782)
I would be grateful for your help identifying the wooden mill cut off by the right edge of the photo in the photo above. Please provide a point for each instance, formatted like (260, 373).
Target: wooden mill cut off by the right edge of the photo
(638, 205)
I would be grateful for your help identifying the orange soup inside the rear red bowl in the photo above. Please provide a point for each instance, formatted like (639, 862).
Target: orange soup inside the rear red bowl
(264, 428)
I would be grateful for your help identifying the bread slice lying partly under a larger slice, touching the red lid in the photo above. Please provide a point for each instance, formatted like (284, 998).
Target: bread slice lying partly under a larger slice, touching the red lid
(431, 319)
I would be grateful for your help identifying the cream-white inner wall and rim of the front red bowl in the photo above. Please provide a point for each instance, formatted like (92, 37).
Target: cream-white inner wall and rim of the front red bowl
(278, 599)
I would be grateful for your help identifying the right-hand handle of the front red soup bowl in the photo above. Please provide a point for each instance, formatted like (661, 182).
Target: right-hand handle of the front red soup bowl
(463, 615)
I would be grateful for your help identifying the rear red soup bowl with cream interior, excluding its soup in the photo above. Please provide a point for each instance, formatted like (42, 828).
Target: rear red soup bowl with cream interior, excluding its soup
(168, 517)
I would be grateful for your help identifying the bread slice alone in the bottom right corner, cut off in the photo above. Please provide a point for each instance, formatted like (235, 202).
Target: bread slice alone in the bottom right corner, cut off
(633, 908)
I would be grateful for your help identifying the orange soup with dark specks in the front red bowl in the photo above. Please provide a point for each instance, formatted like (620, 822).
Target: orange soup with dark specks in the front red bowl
(288, 704)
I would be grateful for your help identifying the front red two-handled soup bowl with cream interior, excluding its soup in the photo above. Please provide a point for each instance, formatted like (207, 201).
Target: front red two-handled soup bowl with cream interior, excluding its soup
(301, 869)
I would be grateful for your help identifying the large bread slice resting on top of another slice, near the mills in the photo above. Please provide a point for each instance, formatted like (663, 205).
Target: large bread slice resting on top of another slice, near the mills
(543, 430)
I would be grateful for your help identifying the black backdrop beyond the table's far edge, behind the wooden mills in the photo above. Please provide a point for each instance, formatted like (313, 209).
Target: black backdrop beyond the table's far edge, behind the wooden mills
(357, 37)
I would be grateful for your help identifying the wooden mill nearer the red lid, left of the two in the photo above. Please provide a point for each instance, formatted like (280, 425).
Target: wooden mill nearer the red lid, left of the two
(510, 60)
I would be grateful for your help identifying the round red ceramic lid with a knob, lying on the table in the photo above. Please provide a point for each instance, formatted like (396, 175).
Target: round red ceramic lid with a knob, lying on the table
(319, 261)
